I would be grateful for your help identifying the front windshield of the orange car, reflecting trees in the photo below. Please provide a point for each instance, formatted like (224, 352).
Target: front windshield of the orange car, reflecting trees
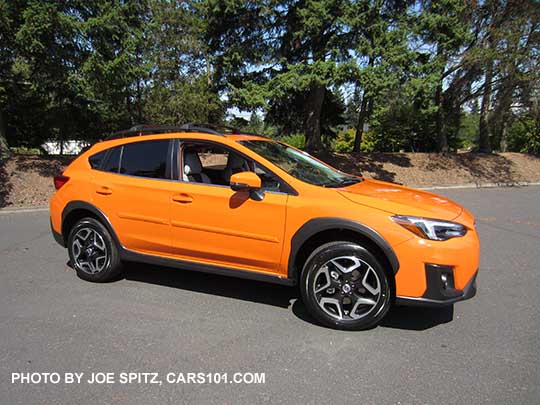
(300, 164)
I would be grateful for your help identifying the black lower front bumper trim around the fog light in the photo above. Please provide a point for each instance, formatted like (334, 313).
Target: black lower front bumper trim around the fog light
(439, 293)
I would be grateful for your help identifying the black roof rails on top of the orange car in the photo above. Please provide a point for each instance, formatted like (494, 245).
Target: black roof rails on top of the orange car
(214, 129)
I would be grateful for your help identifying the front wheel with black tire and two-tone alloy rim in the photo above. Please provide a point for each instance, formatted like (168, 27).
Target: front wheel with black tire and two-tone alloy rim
(336, 309)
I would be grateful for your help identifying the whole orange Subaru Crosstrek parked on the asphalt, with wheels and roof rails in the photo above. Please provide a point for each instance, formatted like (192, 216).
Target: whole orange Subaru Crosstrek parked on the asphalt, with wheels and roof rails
(245, 205)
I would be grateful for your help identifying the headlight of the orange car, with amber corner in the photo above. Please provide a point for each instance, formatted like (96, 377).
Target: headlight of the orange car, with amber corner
(430, 228)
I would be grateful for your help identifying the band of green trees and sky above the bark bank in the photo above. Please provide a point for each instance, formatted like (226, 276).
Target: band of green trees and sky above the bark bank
(353, 75)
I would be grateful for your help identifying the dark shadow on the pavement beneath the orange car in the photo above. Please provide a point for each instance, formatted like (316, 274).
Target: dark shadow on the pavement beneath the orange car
(407, 318)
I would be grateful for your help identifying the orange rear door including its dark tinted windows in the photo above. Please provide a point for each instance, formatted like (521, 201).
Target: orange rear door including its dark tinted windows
(133, 188)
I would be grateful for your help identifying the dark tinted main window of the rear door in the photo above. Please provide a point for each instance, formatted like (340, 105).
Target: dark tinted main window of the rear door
(146, 159)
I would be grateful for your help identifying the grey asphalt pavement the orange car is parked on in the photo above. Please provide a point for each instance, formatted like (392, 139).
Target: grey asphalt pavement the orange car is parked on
(174, 322)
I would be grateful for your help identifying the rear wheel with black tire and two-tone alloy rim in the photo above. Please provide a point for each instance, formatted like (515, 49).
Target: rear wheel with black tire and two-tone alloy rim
(103, 270)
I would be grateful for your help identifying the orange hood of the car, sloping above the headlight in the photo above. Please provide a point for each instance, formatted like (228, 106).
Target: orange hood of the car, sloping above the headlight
(401, 200)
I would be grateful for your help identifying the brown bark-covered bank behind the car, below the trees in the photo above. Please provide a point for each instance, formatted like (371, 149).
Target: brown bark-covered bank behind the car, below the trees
(27, 180)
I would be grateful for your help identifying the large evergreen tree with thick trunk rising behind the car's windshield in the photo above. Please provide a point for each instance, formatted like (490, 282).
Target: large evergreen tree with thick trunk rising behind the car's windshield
(272, 50)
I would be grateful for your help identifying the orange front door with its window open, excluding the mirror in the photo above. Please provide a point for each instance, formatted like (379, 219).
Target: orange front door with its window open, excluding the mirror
(212, 223)
